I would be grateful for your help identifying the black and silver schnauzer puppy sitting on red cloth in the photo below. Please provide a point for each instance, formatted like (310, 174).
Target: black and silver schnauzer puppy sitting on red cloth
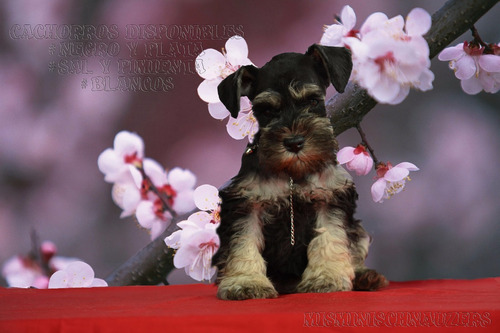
(287, 221)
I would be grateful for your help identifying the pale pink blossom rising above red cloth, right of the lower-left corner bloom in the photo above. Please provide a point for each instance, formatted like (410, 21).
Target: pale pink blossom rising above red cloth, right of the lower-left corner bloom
(77, 274)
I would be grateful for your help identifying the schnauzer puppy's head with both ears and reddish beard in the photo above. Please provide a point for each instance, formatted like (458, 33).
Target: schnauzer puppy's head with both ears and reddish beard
(288, 100)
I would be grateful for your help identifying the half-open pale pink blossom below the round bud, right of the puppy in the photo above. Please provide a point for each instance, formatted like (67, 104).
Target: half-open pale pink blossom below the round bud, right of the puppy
(391, 180)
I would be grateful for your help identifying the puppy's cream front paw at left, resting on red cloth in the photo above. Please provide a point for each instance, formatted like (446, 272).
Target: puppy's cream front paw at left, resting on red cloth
(246, 287)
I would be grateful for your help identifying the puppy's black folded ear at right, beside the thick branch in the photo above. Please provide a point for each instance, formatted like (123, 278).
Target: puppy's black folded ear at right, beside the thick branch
(336, 61)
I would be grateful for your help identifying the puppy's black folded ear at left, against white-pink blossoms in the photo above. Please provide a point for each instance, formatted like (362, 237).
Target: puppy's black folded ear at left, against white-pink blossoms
(236, 85)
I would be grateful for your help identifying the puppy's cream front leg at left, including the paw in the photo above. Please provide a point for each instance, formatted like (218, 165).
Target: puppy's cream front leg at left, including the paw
(244, 275)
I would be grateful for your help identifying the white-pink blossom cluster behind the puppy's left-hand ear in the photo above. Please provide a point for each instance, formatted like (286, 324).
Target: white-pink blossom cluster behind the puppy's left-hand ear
(214, 66)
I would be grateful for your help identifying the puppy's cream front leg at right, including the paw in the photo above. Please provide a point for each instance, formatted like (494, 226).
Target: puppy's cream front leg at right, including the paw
(330, 264)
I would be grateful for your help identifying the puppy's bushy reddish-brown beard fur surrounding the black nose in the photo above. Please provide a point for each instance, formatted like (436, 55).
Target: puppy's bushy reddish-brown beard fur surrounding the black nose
(318, 151)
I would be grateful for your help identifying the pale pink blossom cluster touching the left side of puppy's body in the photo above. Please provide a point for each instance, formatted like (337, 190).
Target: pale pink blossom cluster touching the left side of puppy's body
(197, 241)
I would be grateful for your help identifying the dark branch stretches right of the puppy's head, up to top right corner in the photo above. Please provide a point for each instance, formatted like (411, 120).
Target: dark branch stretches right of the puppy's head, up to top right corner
(448, 23)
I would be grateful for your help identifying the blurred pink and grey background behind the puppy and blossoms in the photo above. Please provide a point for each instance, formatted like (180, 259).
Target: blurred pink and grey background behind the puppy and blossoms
(444, 225)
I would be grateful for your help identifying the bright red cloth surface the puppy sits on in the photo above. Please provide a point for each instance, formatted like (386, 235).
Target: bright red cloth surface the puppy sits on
(415, 306)
